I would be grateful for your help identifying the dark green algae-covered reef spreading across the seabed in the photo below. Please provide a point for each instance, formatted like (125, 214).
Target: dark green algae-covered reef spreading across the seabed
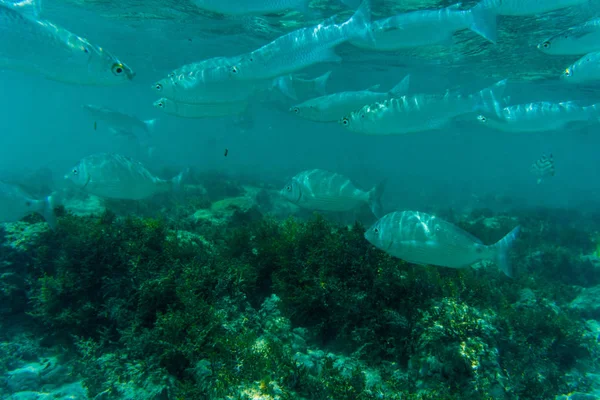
(260, 308)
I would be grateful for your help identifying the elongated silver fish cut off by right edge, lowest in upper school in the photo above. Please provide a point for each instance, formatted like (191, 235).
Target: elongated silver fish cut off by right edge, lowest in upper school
(540, 116)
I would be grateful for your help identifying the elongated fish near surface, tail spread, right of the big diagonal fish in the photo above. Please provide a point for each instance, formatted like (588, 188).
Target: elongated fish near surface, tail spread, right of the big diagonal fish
(428, 27)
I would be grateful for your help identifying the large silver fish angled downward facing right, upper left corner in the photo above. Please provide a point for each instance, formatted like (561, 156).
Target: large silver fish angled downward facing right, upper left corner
(36, 46)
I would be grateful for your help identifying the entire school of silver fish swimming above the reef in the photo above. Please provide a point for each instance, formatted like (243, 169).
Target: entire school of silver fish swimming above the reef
(225, 85)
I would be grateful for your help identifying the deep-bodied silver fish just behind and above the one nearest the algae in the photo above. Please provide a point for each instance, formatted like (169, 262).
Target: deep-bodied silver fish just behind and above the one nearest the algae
(318, 189)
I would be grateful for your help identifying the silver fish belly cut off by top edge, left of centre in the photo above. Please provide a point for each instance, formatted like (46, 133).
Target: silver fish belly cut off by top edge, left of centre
(249, 7)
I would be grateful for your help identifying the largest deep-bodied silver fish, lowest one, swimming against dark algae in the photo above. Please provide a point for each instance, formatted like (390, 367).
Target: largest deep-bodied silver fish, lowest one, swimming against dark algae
(422, 238)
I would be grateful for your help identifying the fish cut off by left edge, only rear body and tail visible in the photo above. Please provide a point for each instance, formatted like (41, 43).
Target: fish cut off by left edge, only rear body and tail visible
(15, 204)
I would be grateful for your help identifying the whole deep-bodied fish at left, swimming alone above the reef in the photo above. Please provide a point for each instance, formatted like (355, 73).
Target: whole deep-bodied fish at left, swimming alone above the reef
(119, 177)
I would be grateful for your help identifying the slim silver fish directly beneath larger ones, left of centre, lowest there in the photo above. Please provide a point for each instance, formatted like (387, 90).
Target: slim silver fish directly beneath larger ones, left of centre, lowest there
(205, 110)
